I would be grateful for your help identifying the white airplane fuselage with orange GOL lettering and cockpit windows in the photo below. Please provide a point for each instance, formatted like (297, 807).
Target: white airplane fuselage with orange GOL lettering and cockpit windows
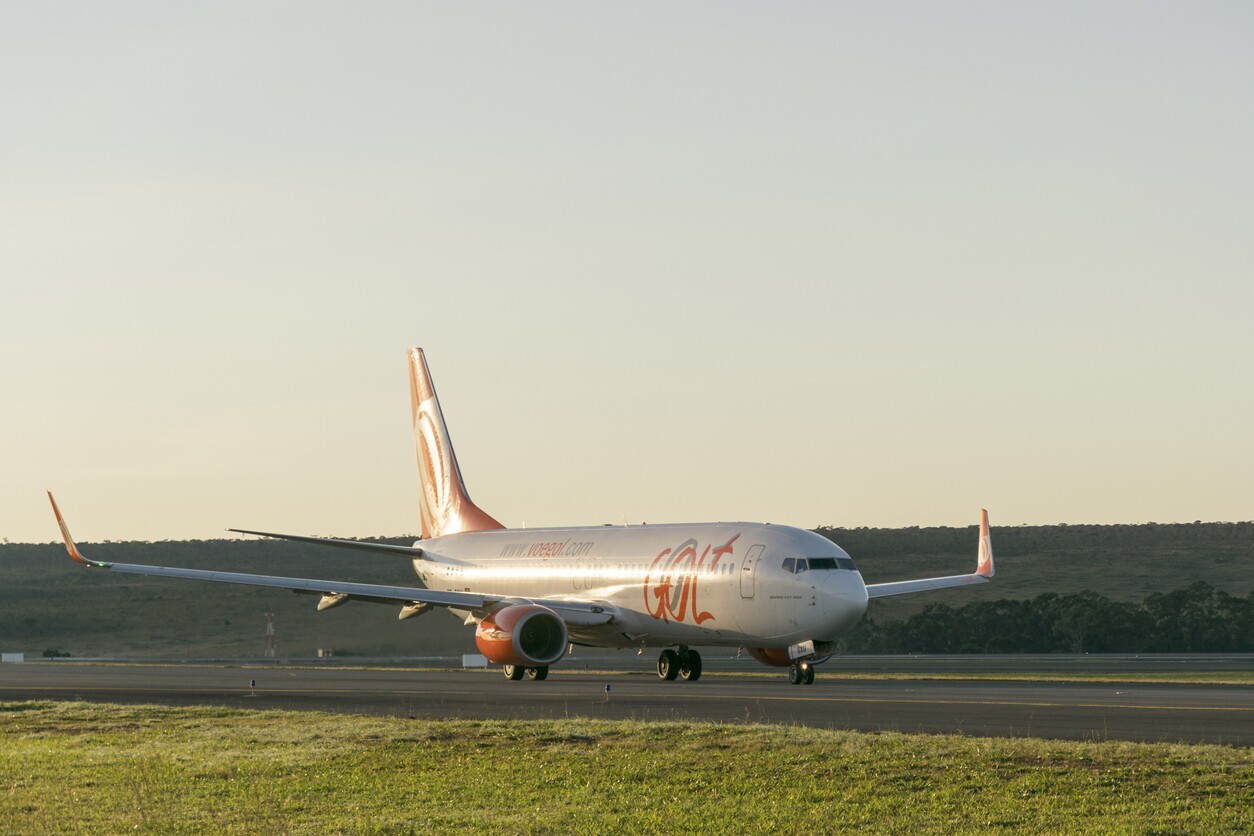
(705, 585)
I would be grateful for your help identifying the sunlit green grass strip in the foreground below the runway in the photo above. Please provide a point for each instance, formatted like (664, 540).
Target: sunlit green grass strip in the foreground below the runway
(77, 768)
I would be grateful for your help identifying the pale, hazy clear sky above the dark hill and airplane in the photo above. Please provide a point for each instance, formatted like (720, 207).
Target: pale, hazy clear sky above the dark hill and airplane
(813, 264)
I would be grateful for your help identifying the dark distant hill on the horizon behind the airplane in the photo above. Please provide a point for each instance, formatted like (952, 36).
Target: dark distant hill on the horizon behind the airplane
(47, 602)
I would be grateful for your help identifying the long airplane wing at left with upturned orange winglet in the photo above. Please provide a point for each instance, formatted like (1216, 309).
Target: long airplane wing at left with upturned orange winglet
(334, 592)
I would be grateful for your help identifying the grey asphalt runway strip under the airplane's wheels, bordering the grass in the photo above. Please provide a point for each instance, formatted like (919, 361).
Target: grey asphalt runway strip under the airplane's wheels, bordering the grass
(1191, 714)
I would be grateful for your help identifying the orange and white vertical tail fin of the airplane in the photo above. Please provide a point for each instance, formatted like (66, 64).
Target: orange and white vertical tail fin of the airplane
(446, 506)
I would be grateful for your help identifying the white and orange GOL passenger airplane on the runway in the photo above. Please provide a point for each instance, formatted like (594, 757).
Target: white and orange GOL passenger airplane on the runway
(783, 593)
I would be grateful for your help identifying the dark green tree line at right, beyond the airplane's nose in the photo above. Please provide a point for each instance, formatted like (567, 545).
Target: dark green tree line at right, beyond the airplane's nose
(1196, 620)
